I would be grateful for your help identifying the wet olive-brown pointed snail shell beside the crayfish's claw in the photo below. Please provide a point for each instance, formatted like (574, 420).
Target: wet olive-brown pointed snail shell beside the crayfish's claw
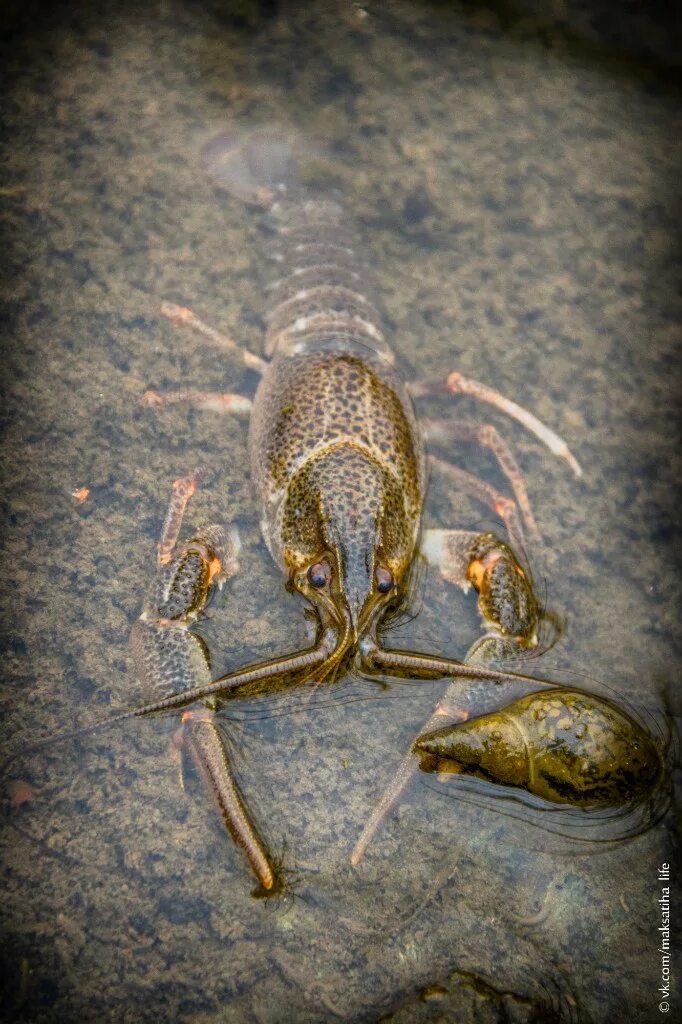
(564, 746)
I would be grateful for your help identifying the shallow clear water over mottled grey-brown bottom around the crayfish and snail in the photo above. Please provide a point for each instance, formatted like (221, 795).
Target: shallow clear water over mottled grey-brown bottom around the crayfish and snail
(515, 180)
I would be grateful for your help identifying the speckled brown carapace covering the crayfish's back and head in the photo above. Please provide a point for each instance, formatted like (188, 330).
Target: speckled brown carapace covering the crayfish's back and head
(333, 441)
